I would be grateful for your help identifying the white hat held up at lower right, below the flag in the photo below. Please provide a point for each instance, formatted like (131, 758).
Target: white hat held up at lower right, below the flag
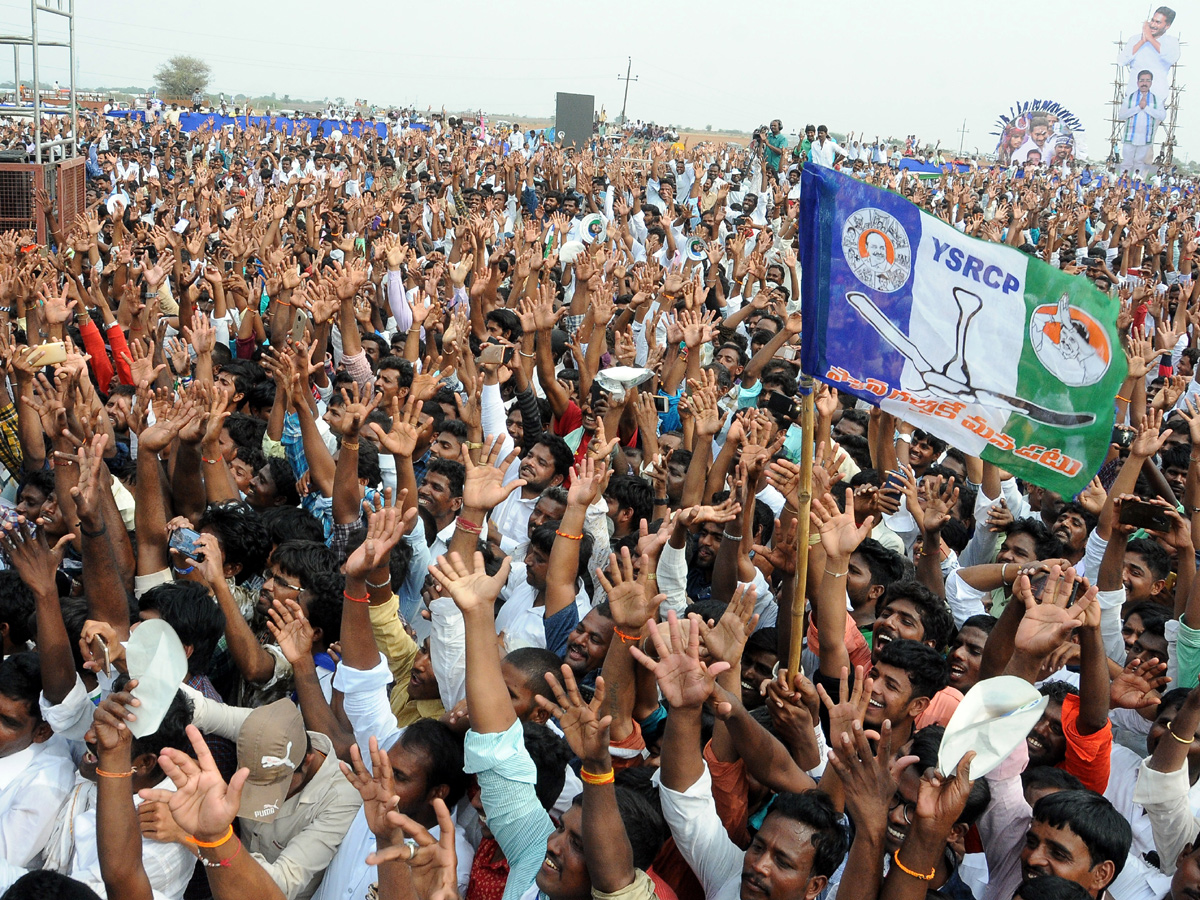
(993, 721)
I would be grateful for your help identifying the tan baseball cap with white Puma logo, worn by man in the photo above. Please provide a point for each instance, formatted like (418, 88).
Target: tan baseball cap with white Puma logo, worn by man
(272, 745)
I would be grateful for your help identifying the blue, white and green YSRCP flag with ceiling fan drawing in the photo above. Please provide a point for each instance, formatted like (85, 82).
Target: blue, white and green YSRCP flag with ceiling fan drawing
(999, 355)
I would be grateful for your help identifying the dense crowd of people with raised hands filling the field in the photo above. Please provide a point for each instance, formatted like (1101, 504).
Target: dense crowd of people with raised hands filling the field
(466, 470)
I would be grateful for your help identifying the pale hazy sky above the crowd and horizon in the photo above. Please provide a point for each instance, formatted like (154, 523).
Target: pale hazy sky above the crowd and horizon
(855, 65)
